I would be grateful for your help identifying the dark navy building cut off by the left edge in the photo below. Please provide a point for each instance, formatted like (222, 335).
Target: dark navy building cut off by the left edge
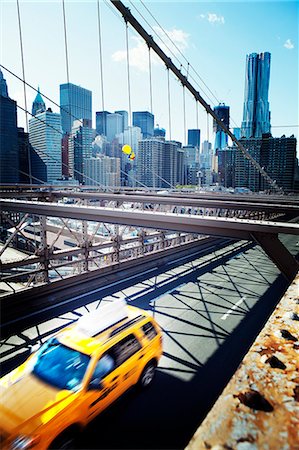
(9, 162)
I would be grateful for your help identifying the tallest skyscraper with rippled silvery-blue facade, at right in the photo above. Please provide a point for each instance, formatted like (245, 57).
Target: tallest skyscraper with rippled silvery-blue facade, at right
(256, 114)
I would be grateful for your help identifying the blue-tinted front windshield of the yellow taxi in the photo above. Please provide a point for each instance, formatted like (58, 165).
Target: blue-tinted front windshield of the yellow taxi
(60, 366)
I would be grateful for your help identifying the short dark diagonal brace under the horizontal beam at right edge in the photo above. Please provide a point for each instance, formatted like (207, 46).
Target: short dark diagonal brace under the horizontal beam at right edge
(278, 253)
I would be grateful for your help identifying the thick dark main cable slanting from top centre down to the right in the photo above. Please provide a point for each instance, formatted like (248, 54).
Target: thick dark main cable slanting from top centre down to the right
(128, 17)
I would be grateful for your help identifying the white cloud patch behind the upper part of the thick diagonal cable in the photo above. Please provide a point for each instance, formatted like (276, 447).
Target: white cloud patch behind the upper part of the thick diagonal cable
(138, 54)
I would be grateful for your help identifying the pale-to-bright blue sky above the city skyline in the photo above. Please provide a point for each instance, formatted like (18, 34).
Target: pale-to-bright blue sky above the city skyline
(209, 43)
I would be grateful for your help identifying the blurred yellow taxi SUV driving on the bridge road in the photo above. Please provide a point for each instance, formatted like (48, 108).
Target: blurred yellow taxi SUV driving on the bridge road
(77, 374)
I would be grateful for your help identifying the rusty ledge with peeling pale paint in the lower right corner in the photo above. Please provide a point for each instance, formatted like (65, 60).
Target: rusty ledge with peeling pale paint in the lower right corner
(259, 408)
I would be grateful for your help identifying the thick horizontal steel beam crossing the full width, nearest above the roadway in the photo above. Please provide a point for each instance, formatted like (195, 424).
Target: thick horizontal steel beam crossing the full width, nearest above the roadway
(234, 228)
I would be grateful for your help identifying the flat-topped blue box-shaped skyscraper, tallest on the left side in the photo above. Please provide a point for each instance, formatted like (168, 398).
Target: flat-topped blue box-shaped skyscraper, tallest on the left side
(75, 103)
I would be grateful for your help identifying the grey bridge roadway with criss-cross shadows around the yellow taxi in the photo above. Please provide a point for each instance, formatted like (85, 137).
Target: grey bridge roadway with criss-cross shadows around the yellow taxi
(210, 307)
